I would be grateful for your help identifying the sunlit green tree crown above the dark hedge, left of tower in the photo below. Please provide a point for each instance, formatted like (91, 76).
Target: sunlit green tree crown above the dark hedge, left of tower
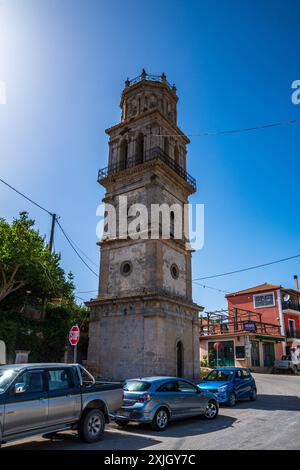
(27, 265)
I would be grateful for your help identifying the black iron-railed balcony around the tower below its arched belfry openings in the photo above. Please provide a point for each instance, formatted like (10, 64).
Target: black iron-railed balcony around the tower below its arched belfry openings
(153, 154)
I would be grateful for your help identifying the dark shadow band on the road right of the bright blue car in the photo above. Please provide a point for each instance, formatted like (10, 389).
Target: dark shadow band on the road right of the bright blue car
(273, 402)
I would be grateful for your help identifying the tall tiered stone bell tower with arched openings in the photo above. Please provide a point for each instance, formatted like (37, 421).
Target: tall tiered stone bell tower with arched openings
(144, 321)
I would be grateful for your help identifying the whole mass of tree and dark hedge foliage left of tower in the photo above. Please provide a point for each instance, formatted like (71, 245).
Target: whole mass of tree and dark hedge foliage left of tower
(31, 277)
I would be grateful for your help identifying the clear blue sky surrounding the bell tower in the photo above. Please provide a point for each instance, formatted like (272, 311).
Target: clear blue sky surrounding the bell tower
(64, 63)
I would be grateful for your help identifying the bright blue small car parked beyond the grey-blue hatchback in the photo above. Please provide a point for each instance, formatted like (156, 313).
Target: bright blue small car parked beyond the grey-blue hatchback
(230, 384)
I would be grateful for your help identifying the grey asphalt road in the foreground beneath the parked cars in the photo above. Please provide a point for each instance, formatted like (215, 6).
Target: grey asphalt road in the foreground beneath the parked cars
(272, 422)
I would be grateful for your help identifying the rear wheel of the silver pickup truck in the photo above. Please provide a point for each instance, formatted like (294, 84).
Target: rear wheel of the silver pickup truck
(91, 426)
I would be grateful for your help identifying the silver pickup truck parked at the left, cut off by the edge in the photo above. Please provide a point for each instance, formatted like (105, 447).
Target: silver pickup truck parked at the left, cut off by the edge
(47, 398)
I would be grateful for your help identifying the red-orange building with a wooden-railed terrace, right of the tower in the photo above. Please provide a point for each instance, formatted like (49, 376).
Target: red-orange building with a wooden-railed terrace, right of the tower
(261, 324)
